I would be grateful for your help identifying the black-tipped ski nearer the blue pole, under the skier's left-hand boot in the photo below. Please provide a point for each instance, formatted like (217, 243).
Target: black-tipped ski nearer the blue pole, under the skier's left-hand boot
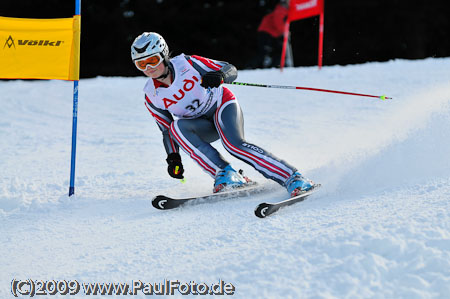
(162, 202)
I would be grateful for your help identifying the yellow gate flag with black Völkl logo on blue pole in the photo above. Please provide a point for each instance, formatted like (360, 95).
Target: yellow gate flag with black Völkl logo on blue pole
(40, 48)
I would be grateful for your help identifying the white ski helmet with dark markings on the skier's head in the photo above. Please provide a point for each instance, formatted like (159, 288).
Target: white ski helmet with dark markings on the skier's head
(147, 44)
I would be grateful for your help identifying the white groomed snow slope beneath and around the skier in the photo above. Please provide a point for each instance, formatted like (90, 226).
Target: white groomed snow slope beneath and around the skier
(379, 228)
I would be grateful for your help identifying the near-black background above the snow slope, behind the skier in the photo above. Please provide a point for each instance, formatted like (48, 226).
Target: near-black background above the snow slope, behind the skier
(355, 31)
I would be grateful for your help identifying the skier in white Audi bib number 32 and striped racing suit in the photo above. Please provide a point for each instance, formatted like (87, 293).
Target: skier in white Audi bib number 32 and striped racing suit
(190, 88)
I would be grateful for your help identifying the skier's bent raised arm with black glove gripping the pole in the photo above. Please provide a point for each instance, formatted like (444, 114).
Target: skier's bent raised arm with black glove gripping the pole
(213, 72)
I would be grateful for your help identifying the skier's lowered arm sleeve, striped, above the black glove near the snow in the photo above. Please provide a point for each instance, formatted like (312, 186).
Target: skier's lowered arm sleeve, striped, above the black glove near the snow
(163, 119)
